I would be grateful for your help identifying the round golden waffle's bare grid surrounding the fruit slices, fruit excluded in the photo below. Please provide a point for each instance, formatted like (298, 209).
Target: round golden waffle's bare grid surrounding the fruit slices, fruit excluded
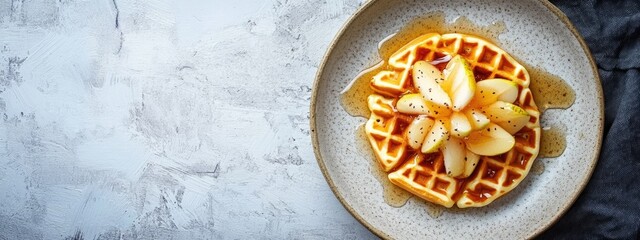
(424, 174)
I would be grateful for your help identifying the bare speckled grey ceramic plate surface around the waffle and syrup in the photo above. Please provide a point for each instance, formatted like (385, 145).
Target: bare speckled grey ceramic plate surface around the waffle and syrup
(537, 34)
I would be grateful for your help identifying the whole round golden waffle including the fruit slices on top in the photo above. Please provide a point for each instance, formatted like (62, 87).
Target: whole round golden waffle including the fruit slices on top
(453, 120)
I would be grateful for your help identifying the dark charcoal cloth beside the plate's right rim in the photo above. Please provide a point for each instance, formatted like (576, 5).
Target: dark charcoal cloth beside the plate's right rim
(609, 207)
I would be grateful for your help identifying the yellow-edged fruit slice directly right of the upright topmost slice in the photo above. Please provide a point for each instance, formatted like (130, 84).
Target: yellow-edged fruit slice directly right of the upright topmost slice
(491, 90)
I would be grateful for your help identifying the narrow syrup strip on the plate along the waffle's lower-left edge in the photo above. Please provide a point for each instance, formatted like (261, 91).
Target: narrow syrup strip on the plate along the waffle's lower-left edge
(392, 194)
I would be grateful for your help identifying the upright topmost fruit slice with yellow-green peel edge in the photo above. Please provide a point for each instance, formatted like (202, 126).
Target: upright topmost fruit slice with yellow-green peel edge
(459, 82)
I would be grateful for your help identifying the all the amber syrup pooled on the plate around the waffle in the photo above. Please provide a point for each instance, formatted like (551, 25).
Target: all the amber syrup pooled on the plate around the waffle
(549, 91)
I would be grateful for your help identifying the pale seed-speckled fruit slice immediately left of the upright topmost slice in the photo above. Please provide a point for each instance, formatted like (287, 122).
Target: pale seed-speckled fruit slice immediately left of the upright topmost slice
(425, 77)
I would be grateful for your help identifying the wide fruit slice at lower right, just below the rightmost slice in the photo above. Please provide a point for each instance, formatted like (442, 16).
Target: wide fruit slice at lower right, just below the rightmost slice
(490, 141)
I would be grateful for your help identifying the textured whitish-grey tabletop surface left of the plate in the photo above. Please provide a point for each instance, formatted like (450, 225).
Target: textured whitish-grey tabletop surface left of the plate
(164, 119)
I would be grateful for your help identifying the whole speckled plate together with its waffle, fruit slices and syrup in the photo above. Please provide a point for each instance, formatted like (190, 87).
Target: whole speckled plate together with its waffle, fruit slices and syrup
(442, 129)
